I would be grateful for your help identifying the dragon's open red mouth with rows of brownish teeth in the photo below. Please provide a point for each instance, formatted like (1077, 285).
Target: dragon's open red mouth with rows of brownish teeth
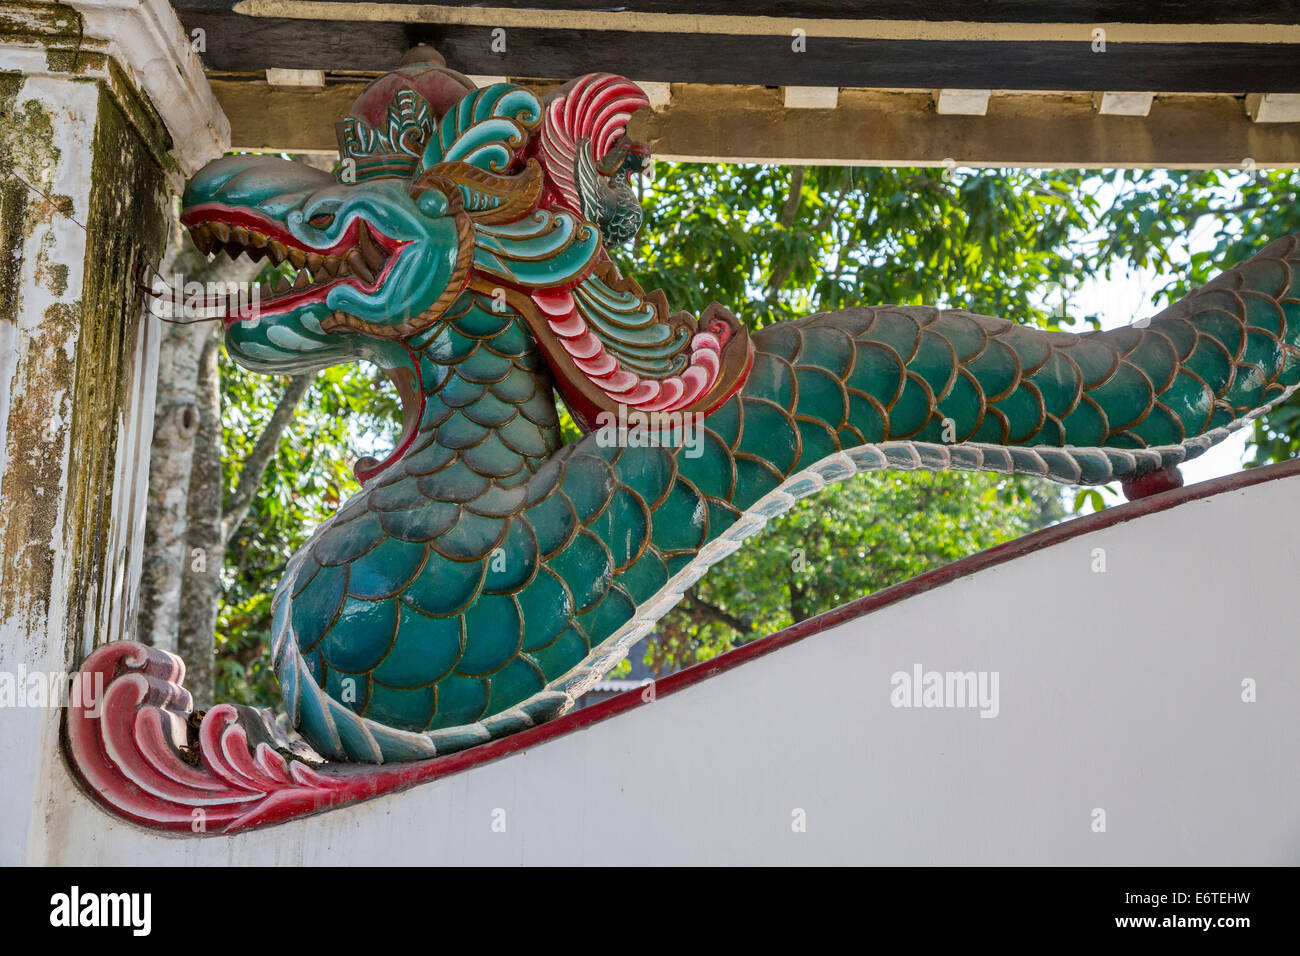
(362, 257)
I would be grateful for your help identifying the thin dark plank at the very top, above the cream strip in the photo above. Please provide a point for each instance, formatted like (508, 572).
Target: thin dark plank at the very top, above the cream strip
(977, 11)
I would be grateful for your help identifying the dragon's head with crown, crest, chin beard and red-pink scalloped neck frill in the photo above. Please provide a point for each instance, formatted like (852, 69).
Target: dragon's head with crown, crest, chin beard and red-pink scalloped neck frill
(447, 191)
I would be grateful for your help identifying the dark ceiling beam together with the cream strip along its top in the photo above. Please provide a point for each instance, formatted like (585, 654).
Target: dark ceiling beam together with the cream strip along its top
(1242, 57)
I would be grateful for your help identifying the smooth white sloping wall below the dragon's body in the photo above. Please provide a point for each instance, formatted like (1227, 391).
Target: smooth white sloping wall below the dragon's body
(1119, 691)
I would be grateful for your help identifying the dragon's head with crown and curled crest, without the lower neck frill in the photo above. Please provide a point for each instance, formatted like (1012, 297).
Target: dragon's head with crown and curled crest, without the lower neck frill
(439, 181)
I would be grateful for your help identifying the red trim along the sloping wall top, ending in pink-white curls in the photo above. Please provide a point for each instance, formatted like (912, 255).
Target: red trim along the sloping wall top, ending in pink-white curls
(125, 747)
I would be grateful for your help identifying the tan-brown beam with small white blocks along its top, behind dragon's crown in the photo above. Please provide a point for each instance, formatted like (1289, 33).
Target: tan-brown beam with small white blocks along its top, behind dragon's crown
(868, 128)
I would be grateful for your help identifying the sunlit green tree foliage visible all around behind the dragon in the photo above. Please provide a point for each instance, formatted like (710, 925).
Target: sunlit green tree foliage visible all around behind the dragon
(775, 244)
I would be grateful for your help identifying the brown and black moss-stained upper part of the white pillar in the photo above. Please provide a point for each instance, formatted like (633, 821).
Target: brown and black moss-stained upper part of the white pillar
(72, 388)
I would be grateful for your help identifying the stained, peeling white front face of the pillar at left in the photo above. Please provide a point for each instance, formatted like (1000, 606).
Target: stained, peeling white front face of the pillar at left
(36, 416)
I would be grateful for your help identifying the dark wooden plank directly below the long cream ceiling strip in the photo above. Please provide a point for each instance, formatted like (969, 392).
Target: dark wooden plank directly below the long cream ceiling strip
(757, 60)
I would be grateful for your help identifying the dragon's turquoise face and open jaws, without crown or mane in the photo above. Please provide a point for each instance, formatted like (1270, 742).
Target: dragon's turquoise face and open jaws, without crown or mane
(378, 257)
